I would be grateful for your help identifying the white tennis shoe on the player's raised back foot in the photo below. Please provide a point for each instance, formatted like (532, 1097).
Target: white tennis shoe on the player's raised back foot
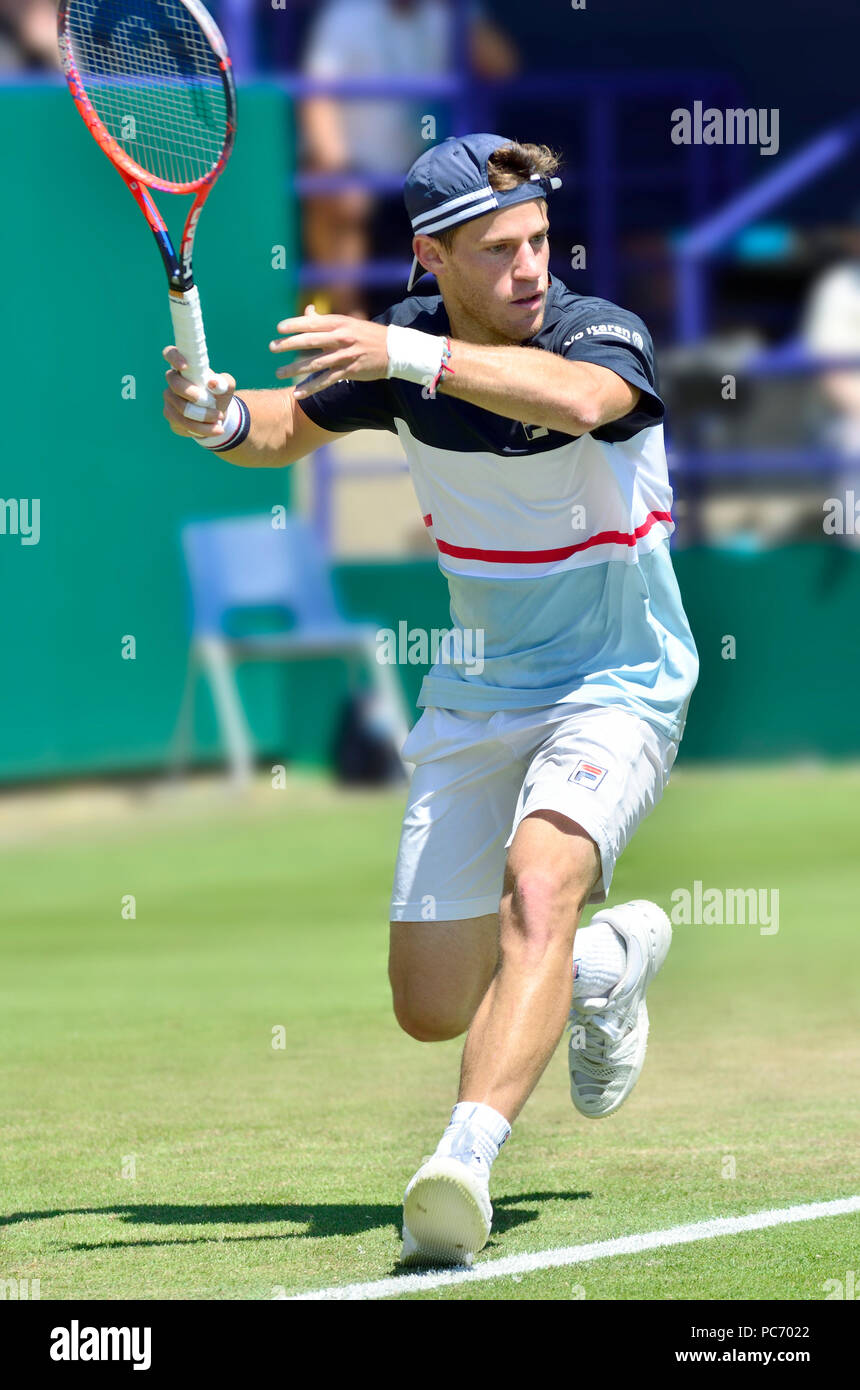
(609, 1036)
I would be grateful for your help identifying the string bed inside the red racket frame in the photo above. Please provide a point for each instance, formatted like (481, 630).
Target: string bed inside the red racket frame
(155, 84)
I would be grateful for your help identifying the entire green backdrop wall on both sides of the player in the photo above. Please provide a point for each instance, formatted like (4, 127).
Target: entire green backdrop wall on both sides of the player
(85, 308)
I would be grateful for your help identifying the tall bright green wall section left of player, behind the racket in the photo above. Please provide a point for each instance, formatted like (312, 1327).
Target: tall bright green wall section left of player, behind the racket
(85, 306)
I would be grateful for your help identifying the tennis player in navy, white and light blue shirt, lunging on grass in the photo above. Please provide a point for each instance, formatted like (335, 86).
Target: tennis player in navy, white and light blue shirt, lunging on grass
(533, 426)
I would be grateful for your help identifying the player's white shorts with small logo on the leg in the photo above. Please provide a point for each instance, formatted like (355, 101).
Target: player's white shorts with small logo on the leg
(479, 775)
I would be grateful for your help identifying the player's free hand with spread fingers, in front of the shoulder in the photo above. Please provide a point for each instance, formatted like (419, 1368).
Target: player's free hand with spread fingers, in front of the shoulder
(334, 348)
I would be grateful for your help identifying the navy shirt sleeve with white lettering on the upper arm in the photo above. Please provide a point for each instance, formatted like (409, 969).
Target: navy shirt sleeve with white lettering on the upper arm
(611, 337)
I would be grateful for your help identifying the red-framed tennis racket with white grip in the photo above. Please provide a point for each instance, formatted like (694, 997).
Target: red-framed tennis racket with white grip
(155, 85)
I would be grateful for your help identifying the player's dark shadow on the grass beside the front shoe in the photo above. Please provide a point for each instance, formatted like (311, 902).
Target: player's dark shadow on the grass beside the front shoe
(317, 1220)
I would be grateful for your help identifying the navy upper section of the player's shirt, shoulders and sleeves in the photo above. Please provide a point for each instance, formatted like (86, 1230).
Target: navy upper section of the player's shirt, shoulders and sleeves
(576, 326)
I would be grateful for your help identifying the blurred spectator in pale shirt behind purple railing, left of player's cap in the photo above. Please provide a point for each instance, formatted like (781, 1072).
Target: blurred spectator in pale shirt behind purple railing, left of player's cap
(377, 40)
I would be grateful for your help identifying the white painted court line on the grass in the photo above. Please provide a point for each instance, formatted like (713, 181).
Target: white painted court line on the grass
(581, 1254)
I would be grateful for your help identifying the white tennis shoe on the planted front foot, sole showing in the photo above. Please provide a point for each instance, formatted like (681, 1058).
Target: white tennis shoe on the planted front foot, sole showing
(447, 1213)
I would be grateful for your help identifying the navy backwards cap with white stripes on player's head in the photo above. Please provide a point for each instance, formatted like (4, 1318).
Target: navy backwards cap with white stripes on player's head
(451, 184)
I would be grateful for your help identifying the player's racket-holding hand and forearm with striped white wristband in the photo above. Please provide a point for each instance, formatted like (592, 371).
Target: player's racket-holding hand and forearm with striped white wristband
(280, 432)
